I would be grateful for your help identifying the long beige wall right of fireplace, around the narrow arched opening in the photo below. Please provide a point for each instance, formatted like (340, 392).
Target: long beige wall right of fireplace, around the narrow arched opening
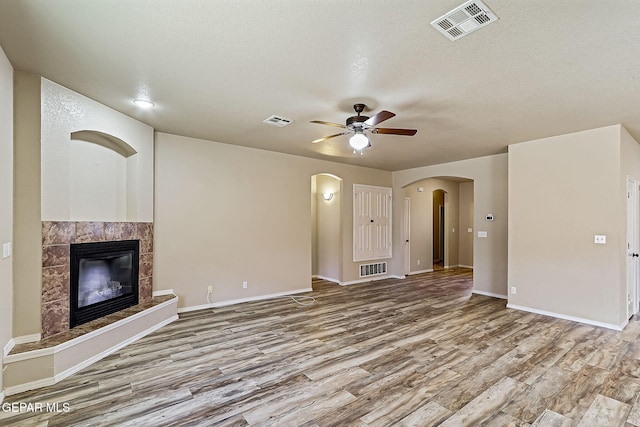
(226, 214)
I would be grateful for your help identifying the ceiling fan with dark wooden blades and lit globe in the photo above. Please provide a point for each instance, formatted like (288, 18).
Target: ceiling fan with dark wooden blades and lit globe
(359, 126)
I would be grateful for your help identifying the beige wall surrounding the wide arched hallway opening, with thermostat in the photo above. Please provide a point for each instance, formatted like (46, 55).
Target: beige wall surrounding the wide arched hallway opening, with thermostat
(490, 196)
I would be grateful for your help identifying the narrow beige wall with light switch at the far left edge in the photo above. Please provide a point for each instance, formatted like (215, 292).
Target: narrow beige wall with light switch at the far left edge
(6, 199)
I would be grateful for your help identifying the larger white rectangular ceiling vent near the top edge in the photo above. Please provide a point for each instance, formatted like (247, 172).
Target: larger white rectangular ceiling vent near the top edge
(464, 19)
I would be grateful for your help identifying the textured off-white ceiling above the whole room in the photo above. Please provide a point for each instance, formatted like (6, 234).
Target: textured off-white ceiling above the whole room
(216, 69)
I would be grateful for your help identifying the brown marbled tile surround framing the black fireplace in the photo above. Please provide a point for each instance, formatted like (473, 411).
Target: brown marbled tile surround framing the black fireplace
(56, 240)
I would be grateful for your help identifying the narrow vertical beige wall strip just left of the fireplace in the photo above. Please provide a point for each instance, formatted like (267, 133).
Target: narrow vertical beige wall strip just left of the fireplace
(27, 262)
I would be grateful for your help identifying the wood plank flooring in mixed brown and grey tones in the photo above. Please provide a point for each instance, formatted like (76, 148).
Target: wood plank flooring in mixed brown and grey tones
(421, 351)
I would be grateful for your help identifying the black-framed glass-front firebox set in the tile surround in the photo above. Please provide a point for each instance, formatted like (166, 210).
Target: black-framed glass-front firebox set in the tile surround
(103, 279)
